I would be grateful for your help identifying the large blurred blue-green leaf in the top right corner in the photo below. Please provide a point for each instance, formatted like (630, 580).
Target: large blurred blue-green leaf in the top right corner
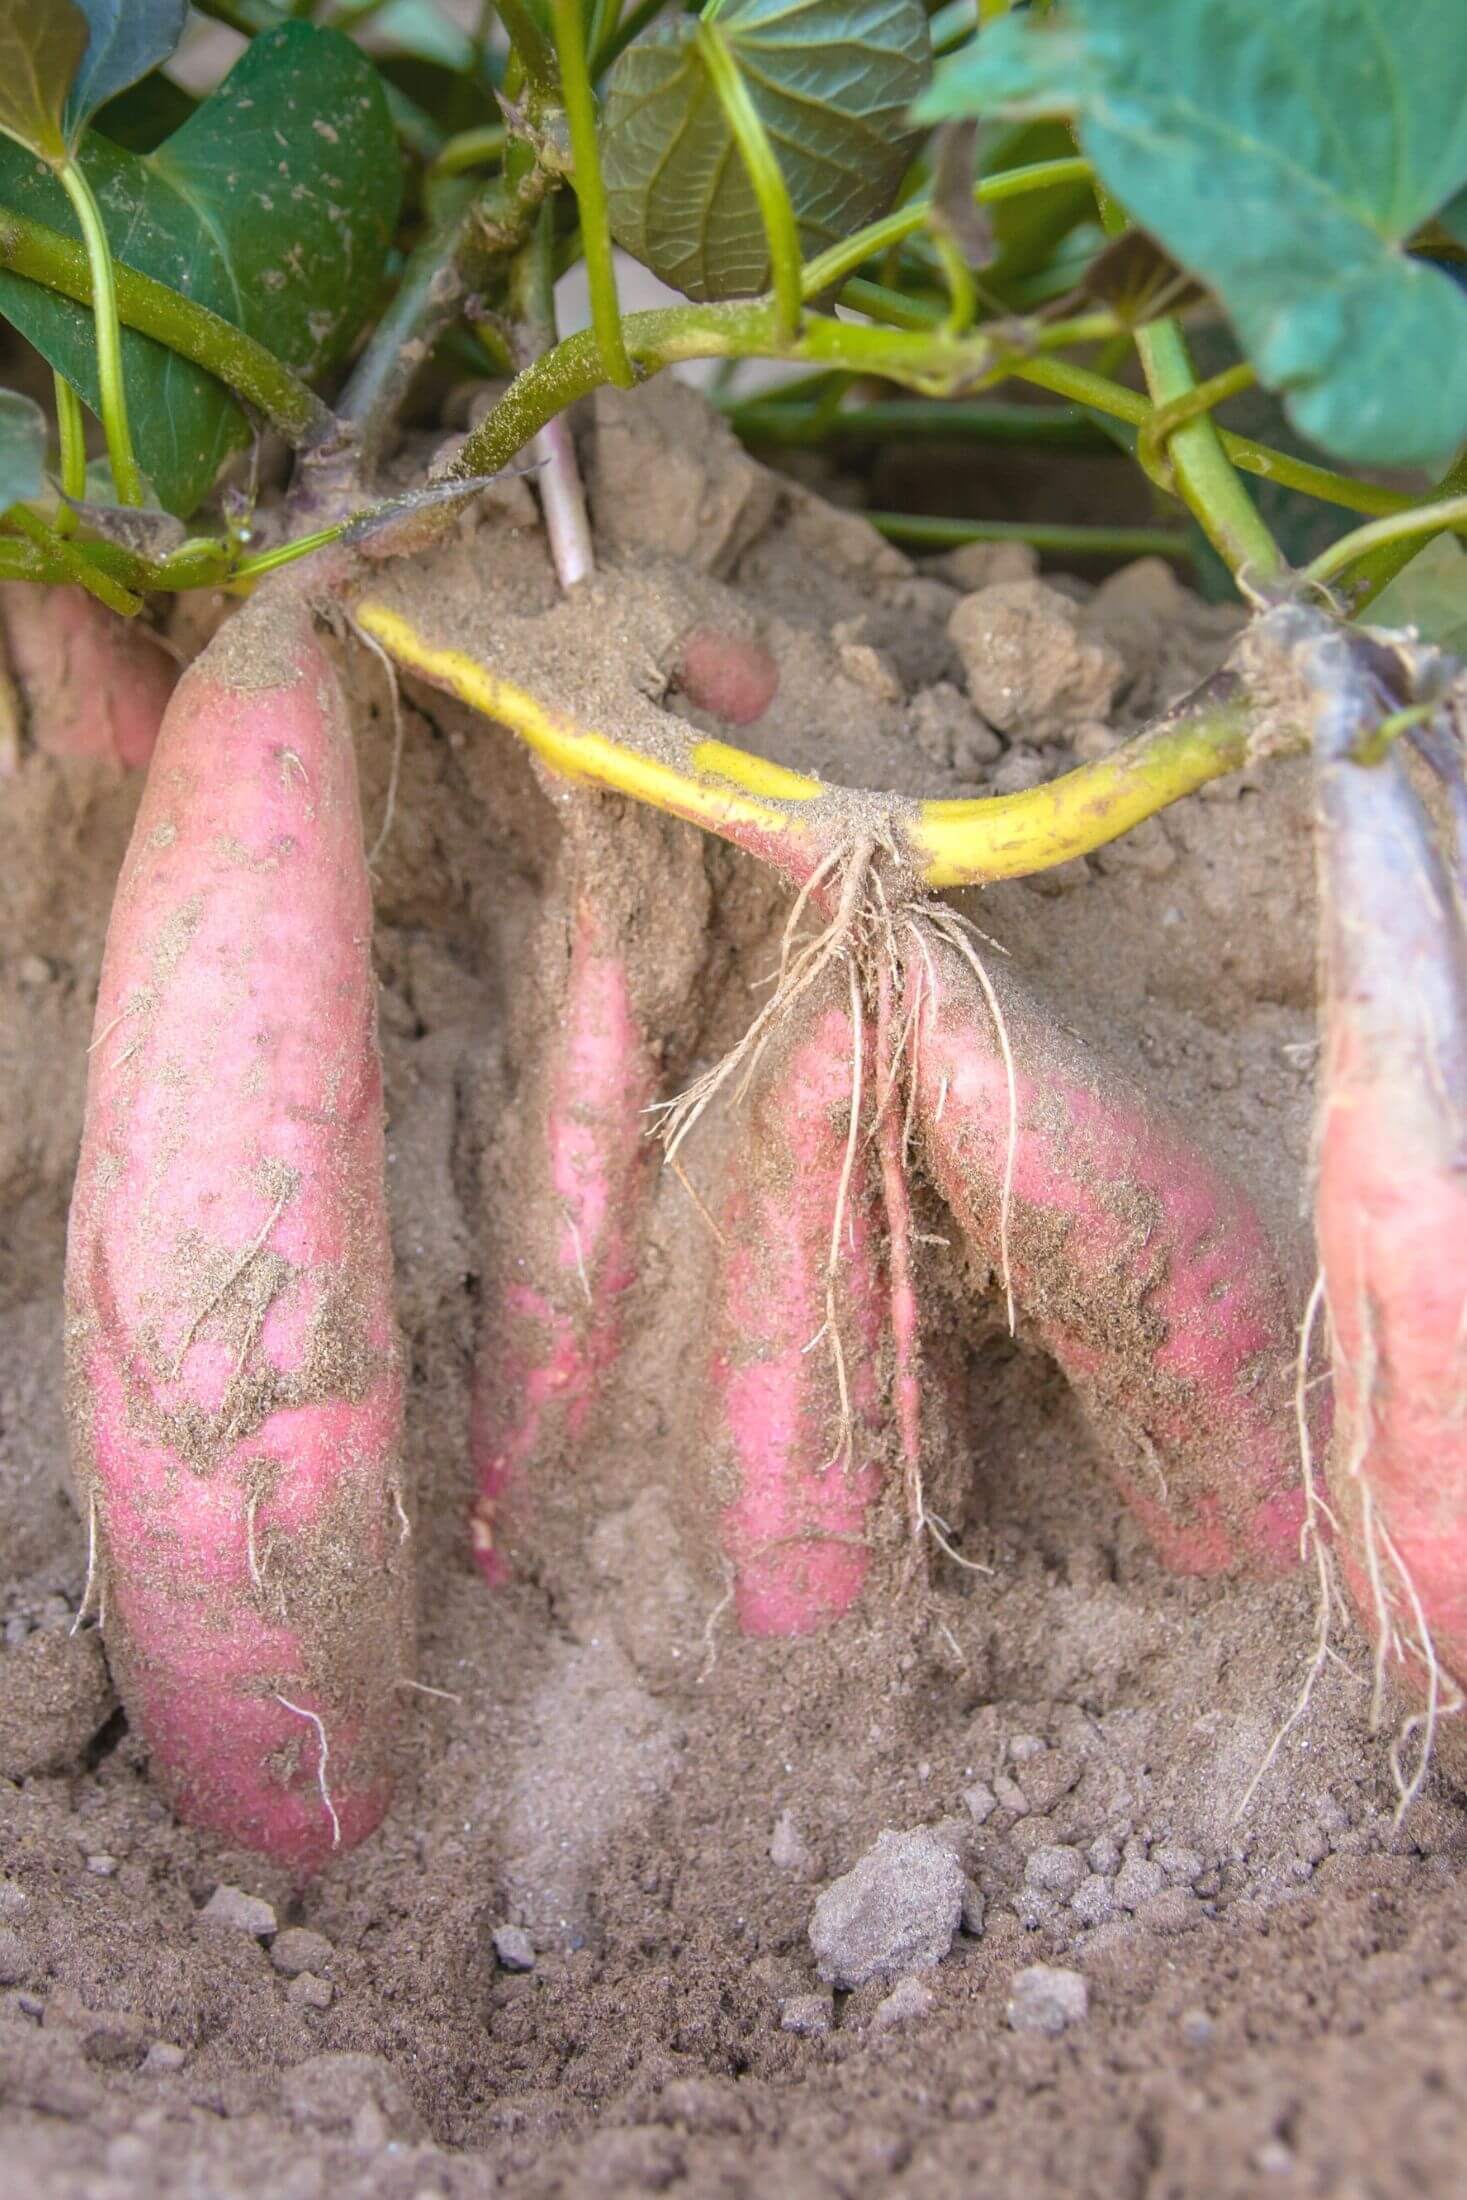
(1286, 155)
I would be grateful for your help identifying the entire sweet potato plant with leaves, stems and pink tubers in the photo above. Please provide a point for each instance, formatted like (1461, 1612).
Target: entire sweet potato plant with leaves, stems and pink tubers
(230, 287)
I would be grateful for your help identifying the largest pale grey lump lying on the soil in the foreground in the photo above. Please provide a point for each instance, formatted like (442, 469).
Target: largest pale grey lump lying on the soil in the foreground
(898, 1911)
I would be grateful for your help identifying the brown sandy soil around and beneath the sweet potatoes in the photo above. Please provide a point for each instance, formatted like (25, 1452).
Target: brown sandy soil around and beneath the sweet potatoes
(1275, 2001)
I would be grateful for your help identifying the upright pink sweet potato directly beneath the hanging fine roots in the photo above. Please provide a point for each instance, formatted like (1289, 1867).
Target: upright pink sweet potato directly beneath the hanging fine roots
(795, 1532)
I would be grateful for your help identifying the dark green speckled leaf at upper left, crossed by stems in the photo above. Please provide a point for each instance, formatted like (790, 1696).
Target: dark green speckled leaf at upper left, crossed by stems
(274, 206)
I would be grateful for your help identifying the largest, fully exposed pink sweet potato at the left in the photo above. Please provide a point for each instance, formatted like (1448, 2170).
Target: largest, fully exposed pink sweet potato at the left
(236, 1110)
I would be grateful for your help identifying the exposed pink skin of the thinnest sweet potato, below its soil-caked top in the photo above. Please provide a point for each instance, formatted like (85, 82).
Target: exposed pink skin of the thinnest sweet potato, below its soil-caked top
(555, 1336)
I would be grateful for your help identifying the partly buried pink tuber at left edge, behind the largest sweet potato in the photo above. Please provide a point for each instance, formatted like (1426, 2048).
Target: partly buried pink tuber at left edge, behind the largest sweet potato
(93, 683)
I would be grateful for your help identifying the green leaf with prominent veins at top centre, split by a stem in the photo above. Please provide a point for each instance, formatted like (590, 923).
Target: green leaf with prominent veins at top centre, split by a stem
(832, 82)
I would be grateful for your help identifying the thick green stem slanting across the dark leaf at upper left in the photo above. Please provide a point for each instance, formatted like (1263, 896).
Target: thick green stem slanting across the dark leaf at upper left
(60, 265)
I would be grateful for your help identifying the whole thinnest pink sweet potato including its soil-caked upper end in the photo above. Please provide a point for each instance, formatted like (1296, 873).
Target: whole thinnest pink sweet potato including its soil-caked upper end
(571, 1167)
